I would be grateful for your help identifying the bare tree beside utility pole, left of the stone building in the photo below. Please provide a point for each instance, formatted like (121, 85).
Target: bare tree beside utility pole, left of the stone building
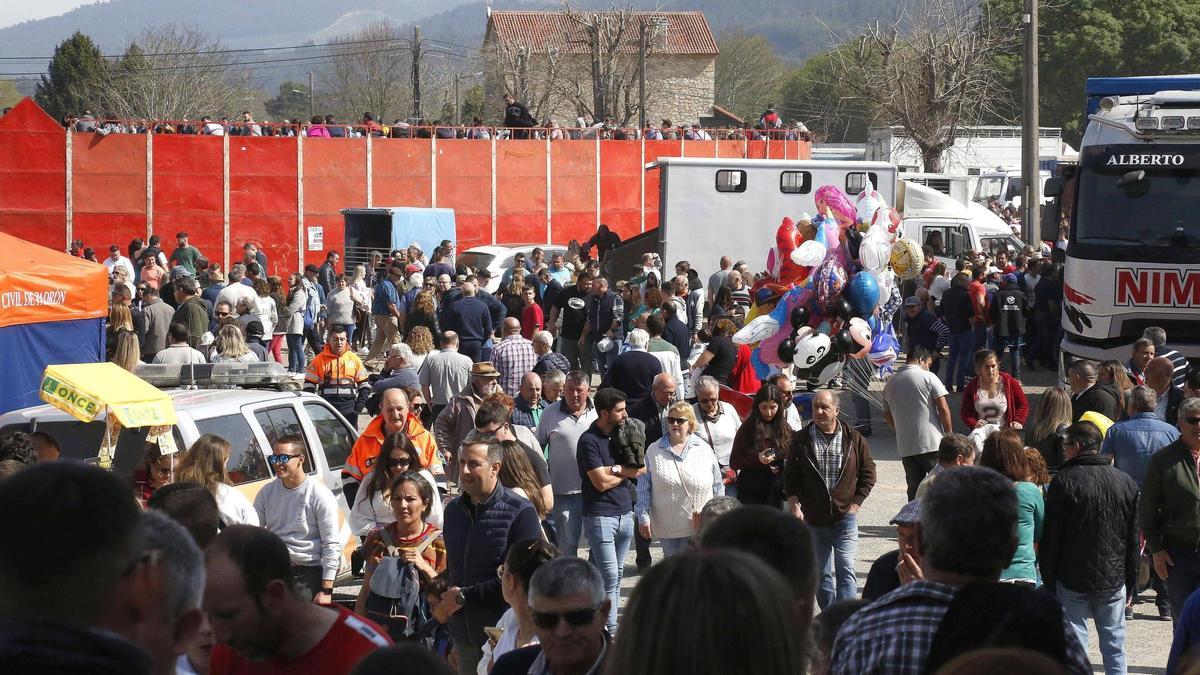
(369, 70)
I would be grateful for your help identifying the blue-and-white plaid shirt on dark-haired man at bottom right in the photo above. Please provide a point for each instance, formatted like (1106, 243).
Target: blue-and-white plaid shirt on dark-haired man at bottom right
(895, 634)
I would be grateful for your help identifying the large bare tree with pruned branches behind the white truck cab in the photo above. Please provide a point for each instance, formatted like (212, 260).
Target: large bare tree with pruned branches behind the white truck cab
(932, 71)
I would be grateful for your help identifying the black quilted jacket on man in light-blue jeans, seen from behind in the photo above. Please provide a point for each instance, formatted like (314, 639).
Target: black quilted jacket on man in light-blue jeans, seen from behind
(1090, 540)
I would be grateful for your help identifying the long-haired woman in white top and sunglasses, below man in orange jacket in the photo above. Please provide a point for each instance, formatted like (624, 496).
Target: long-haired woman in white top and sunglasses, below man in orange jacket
(371, 507)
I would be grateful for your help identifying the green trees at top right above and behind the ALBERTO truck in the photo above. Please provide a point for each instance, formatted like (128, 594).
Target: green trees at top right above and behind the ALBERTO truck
(1085, 39)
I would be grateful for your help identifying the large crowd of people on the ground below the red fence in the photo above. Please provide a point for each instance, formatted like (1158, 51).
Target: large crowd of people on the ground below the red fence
(503, 432)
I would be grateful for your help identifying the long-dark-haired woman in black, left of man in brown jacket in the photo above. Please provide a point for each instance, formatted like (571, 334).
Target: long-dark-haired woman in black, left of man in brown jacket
(760, 449)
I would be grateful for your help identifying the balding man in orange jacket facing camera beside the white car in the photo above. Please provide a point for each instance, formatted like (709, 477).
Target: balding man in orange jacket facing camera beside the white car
(394, 417)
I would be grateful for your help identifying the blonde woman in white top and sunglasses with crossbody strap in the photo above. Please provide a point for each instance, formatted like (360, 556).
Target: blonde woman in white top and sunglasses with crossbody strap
(681, 476)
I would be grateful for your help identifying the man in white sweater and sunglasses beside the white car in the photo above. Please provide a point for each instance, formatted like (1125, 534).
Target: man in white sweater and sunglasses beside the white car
(304, 515)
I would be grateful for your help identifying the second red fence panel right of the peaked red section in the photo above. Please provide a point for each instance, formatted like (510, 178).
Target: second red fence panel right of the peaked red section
(189, 193)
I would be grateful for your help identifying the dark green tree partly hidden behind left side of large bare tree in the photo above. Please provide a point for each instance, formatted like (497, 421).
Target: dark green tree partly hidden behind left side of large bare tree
(817, 95)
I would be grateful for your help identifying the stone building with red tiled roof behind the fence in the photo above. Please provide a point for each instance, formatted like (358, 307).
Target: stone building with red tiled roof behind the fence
(545, 59)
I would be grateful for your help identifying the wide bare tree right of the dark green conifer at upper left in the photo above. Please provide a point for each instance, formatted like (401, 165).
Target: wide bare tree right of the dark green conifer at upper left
(172, 73)
